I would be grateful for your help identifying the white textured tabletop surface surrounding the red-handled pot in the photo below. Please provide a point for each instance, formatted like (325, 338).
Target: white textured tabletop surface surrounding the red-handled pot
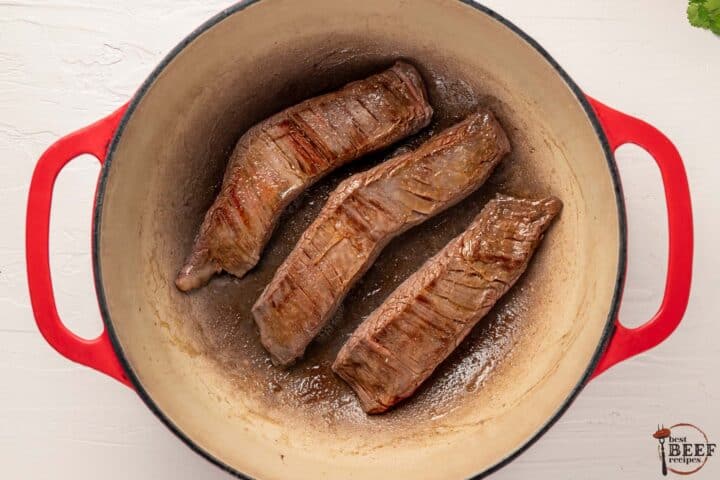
(66, 63)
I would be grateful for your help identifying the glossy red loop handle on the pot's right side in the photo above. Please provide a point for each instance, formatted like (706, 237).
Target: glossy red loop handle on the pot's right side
(627, 342)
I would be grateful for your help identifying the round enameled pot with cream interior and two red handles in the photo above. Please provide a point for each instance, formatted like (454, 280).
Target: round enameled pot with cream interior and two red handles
(195, 360)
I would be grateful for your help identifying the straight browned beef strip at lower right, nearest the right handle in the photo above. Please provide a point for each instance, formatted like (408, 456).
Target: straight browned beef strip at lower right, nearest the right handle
(400, 344)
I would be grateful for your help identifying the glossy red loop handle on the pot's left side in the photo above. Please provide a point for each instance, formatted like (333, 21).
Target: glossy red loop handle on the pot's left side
(97, 353)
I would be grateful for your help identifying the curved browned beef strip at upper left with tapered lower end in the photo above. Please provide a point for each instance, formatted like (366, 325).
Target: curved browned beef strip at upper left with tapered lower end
(277, 159)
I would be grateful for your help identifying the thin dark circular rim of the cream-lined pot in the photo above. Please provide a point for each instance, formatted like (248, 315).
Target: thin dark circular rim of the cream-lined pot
(608, 330)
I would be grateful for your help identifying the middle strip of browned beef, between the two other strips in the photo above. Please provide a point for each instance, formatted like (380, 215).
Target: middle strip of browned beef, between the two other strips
(361, 216)
